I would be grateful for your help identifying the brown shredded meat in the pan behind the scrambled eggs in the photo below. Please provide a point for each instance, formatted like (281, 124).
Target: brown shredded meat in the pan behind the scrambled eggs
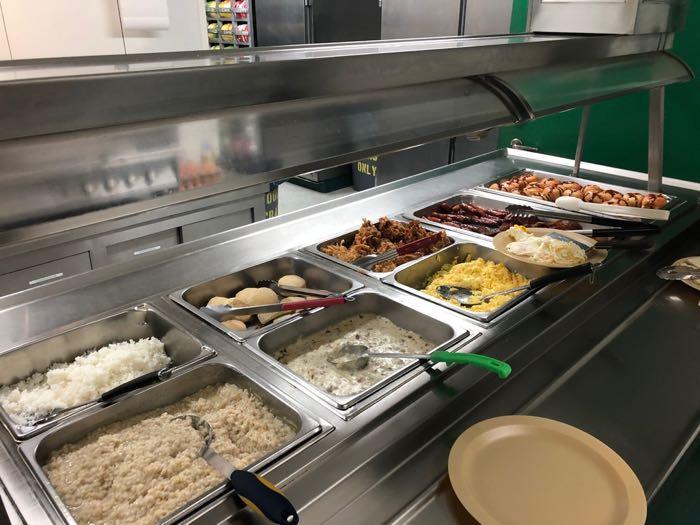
(381, 237)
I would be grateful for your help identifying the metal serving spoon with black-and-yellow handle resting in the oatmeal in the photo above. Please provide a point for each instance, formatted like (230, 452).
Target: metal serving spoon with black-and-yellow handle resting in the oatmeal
(255, 491)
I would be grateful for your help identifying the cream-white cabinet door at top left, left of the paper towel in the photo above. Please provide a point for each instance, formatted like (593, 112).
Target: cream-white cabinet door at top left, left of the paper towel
(62, 28)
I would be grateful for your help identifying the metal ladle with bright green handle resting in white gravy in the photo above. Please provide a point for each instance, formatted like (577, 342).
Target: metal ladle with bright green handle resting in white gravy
(356, 357)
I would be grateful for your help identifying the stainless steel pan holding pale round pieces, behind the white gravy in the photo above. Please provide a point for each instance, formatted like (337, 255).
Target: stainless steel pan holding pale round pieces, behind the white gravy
(194, 297)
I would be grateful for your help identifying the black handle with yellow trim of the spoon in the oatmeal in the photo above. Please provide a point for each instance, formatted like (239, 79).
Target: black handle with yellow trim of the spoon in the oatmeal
(263, 497)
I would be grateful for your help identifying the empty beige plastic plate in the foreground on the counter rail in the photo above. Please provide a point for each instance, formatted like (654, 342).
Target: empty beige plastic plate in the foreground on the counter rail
(528, 470)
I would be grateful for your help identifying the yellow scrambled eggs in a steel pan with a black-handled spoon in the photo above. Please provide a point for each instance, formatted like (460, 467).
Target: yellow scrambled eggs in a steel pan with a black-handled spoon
(482, 277)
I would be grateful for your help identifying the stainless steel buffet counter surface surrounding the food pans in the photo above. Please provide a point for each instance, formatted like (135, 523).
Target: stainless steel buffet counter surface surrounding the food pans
(613, 357)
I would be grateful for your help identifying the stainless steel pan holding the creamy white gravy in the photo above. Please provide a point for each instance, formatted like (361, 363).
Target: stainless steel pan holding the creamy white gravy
(444, 333)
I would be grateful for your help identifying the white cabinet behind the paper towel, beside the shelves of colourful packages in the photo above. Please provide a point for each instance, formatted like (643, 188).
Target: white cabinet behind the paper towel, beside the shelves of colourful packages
(187, 31)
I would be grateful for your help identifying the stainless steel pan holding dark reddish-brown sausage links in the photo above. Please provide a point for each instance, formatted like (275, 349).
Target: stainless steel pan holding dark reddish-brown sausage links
(479, 199)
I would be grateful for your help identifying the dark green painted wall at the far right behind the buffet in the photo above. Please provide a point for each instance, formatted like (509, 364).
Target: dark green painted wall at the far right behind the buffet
(618, 128)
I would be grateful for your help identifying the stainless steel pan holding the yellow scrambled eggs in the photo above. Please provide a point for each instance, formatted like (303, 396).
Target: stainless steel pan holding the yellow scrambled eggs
(414, 276)
